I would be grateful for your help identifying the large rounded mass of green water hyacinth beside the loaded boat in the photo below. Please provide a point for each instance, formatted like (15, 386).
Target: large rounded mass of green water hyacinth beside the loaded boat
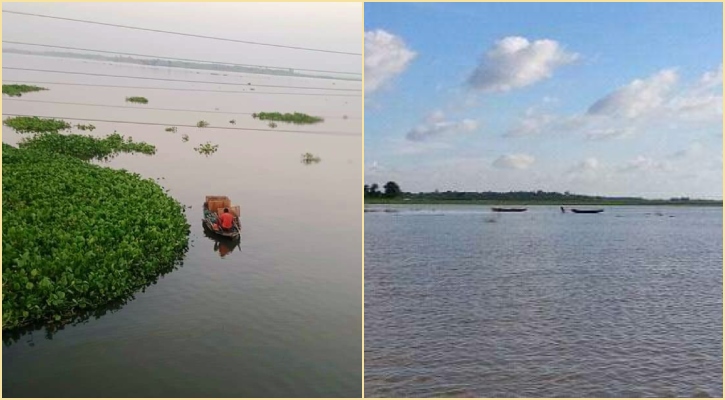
(77, 236)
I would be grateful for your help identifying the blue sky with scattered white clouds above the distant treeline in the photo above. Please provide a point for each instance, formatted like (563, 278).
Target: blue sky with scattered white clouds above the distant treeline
(612, 99)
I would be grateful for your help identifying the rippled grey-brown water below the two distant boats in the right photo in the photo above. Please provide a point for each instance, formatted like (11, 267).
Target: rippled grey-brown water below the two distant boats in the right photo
(460, 301)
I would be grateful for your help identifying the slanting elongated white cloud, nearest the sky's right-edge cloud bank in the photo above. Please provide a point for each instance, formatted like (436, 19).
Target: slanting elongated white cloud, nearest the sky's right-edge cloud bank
(638, 97)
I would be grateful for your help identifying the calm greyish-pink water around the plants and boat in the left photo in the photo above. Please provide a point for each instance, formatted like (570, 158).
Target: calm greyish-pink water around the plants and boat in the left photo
(277, 314)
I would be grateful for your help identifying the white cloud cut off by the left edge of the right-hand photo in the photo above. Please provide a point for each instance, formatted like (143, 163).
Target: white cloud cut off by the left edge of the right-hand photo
(386, 56)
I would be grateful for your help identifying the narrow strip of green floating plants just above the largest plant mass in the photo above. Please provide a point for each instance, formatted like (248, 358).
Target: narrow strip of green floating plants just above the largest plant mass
(86, 147)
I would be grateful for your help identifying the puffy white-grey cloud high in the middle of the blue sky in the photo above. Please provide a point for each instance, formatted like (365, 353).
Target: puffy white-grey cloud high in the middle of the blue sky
(514, 62)
